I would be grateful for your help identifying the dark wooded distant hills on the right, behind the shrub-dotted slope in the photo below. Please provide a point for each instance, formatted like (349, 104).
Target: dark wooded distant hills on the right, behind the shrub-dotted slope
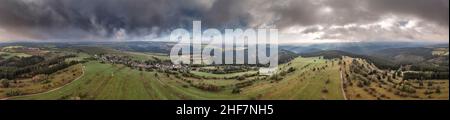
(418, 58)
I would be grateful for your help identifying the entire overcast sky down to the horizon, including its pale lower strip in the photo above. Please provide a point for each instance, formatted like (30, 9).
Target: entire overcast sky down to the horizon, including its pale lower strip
(298, 21)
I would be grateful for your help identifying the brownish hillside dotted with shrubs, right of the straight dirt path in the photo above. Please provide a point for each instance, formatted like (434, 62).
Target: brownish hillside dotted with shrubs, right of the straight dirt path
(366, 81)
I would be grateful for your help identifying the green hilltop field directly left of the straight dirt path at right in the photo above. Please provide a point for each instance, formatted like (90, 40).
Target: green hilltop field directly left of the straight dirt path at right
(302, 83)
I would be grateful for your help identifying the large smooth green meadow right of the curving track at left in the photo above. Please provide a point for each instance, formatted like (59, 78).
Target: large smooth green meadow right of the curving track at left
(105, 81)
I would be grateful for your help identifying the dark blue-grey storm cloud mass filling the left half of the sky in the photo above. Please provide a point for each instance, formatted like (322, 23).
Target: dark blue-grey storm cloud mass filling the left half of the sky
(106, 17)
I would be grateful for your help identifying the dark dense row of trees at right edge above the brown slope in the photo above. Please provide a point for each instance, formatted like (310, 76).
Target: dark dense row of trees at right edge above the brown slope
(425, 75)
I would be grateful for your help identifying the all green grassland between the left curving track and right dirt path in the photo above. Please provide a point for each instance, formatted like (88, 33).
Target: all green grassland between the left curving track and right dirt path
(106, 81)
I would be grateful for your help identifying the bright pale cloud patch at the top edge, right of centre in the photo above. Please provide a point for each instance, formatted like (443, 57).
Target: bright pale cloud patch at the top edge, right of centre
(312, 12)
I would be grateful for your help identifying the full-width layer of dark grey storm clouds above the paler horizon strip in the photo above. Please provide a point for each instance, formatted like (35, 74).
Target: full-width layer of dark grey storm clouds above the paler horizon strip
(65, 19)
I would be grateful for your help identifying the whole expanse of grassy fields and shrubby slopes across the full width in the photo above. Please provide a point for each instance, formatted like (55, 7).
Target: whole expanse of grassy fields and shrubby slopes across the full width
(104, 72)
